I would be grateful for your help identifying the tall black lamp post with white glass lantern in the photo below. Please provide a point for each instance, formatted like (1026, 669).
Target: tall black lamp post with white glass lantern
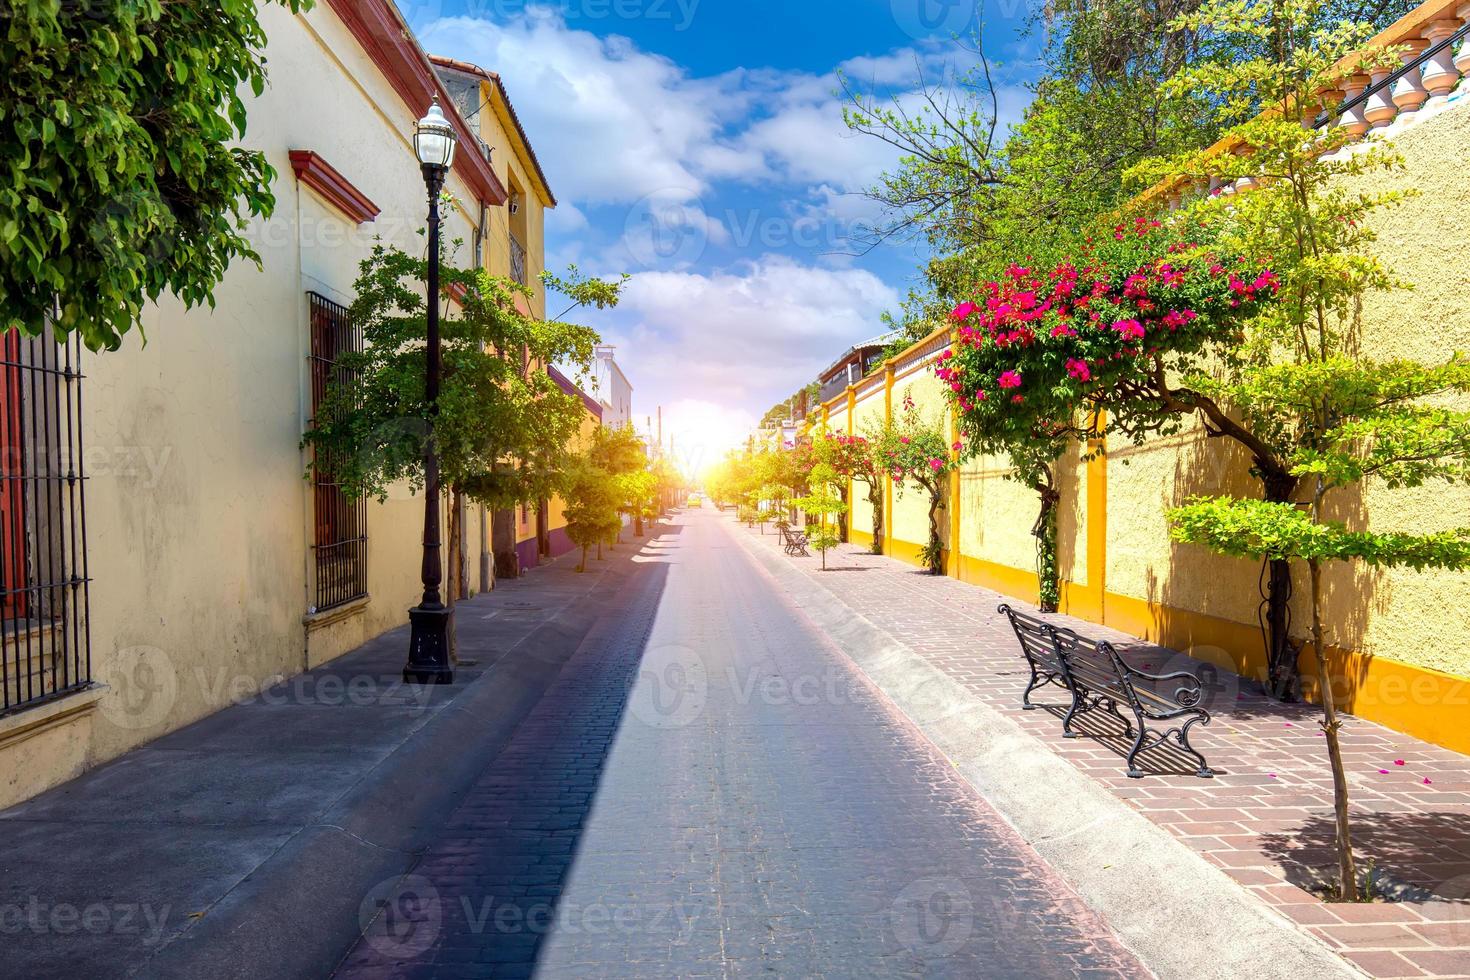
(430, 621)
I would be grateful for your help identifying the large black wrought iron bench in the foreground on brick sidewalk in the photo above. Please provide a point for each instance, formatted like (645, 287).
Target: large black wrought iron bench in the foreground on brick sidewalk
(1099, 678)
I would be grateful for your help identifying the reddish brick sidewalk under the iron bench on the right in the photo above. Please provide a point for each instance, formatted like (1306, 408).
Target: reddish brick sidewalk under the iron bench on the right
(1266, 819)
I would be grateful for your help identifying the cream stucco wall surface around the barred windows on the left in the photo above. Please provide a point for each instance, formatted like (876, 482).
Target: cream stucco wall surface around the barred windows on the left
(198, 509)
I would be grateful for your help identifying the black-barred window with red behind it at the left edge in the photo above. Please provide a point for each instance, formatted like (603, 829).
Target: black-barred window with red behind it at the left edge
(45, 631)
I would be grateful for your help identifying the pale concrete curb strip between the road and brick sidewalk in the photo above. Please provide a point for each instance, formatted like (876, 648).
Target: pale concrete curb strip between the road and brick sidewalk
(1177, 912)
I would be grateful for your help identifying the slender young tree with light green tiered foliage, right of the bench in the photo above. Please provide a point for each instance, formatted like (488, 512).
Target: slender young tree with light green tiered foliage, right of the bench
(1331, 415)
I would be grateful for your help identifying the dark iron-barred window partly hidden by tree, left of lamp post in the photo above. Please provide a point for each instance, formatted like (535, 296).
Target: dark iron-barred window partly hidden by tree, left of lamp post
(340, 547)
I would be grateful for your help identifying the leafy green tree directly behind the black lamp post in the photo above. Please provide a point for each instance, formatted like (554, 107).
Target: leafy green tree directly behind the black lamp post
(502, 424)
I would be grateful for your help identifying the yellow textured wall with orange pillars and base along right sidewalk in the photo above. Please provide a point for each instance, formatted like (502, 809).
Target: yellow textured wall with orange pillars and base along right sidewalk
(1397, 637)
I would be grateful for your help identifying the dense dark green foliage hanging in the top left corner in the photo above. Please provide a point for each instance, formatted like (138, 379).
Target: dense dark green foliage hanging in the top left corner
(121, 183)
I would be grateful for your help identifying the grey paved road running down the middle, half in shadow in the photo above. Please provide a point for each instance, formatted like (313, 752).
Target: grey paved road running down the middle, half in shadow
(709, 791)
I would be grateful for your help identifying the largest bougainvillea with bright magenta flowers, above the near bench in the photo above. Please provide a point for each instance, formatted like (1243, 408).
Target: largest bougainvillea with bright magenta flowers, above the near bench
(1040, 352)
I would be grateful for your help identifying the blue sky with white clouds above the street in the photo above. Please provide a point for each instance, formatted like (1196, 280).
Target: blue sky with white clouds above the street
(699, 146)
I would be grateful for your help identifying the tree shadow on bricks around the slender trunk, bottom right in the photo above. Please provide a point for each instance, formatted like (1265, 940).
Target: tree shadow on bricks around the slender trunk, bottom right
(1416, 857)
